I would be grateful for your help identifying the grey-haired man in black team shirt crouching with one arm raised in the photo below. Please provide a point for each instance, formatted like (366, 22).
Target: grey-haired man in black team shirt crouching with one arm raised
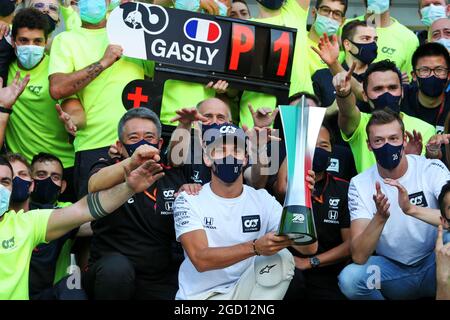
(119, 266)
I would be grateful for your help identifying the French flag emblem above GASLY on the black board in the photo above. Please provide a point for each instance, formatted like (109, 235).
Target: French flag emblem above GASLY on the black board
(202, 30)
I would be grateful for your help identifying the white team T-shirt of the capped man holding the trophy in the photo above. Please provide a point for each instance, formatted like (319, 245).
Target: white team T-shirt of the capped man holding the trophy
(226, 222)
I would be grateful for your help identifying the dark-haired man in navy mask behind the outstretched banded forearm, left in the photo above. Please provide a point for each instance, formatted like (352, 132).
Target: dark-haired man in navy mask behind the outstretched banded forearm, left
(50, 262)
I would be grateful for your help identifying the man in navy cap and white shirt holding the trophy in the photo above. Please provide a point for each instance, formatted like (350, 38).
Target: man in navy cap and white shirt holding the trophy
(227, 225)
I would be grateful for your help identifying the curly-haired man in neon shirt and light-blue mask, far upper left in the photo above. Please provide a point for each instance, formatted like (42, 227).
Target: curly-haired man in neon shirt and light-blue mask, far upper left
(32, 123)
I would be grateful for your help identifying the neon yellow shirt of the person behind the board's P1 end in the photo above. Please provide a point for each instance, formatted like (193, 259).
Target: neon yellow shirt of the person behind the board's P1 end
(294, 16)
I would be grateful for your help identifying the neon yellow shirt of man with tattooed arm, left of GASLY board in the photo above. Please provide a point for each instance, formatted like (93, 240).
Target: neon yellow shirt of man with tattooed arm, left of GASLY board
(102, 98)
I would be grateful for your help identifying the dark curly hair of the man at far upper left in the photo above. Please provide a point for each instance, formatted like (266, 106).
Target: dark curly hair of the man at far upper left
(32, 19)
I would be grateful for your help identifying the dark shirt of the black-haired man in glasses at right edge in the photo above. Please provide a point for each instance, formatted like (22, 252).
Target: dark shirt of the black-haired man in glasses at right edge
(434, 116)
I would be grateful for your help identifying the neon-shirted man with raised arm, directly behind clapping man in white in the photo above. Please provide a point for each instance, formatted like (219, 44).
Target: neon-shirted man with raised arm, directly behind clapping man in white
(382, 89)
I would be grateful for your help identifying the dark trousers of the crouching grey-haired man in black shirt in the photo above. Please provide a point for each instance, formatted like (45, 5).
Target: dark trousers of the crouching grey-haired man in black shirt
(113, 277)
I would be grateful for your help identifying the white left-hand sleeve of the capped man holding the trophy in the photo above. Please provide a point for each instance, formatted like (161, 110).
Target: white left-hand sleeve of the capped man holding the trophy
(185, 216)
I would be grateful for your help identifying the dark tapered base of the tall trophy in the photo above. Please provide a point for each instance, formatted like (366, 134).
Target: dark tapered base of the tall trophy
(297, 223)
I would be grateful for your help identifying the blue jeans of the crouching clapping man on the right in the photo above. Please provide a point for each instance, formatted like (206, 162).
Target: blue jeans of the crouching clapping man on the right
(381, 278)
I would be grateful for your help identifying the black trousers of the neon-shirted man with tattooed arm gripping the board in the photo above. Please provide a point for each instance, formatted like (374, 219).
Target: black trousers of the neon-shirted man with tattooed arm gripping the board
(84, 160)
